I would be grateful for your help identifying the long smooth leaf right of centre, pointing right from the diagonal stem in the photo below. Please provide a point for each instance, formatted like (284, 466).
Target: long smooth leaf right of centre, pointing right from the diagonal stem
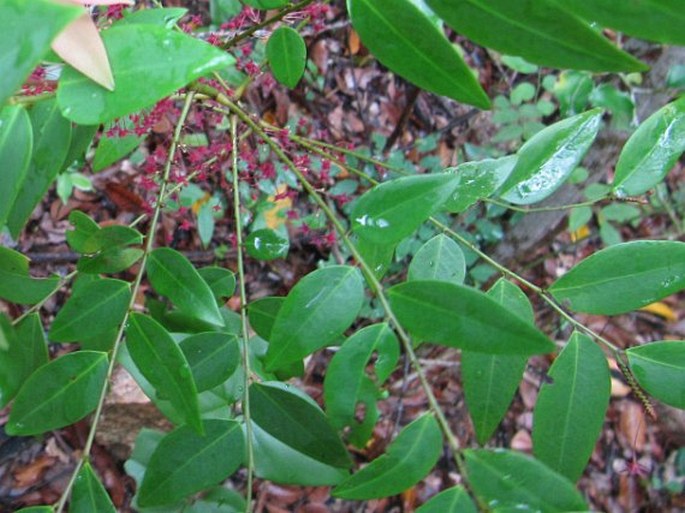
(464, 317)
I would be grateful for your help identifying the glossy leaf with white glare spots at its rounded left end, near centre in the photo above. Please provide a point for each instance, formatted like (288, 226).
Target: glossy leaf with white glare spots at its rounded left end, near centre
(393, 210)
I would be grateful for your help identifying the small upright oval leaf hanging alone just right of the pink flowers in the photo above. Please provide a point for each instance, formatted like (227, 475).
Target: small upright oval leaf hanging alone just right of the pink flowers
(286, 52)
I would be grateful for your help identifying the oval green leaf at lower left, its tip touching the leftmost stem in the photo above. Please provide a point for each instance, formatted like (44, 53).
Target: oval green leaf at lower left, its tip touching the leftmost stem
(58, 394)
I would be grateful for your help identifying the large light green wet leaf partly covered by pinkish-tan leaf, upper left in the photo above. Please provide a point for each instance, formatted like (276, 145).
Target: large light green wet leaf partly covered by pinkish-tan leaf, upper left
(165, 61)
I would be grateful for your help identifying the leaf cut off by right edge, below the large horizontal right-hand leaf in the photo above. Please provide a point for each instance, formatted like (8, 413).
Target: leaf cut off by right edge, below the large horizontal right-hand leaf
(659, 368)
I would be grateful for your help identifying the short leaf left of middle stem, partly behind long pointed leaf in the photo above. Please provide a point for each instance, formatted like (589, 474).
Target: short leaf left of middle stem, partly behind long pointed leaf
(213, 357)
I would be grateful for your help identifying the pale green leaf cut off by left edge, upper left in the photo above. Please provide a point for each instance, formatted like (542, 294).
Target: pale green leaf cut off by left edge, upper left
(16, 147)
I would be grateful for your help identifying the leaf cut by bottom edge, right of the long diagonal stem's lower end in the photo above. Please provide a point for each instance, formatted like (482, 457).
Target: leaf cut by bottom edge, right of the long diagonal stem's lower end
(511, 479)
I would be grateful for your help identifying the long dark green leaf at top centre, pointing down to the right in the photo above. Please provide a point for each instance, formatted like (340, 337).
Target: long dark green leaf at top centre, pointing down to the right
(406, 39)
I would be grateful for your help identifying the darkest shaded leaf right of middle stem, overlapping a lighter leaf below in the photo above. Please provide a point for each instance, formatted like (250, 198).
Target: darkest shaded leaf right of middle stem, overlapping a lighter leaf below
(297, 422)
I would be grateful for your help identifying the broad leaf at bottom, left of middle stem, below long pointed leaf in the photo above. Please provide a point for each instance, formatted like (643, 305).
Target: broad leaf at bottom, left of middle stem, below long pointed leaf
(185, 462)
